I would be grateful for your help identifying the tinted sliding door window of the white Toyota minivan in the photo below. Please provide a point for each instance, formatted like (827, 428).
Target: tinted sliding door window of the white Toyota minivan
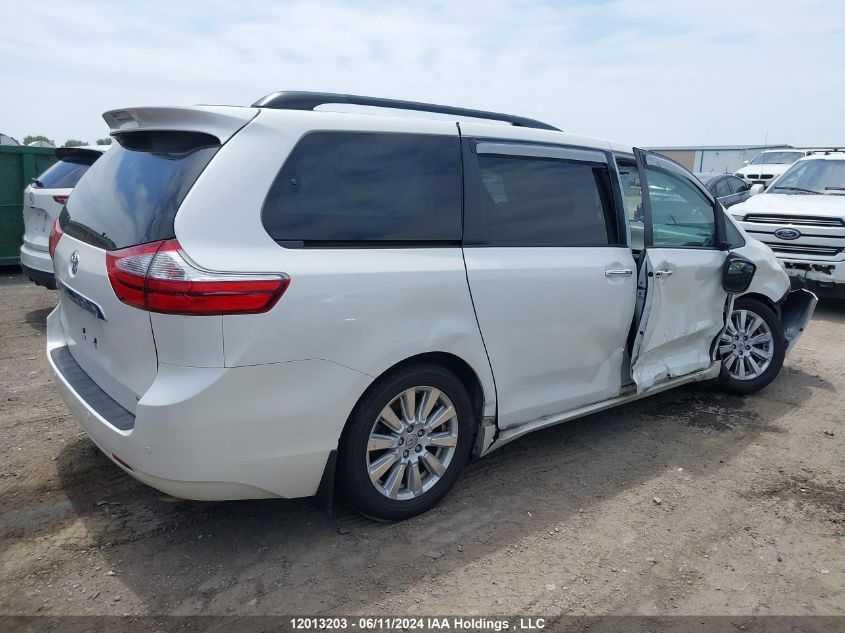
(544, 202)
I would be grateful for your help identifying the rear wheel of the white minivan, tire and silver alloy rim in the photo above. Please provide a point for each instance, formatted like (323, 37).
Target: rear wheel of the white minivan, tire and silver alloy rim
(406, 443)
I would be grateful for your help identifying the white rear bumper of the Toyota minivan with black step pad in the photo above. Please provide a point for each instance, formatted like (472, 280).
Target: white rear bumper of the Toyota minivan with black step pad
(219, 433)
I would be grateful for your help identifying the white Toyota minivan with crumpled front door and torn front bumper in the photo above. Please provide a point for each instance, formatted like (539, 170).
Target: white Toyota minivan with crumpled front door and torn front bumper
(377, 297)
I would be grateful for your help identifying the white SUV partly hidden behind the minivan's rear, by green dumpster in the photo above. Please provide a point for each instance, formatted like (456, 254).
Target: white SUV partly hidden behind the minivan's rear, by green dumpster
(43, 200)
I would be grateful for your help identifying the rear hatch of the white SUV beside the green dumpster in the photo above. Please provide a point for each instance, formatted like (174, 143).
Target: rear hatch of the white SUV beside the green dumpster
(44, 198)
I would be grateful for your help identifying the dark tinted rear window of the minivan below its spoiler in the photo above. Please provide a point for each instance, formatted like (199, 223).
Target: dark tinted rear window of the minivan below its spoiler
(130, 196)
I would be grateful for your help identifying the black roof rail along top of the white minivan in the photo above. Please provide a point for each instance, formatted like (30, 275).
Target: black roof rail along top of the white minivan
(290, 100)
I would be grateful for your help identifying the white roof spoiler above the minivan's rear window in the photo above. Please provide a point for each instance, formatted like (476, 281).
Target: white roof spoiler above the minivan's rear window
(221, 122)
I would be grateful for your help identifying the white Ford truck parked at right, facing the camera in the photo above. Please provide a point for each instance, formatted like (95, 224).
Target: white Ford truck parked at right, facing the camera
(801, 217)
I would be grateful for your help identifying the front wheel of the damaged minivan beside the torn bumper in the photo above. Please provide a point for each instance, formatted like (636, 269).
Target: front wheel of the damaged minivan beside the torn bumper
(752, 348)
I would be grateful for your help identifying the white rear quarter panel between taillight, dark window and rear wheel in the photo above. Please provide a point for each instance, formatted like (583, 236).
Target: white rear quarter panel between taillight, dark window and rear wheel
(366, 309)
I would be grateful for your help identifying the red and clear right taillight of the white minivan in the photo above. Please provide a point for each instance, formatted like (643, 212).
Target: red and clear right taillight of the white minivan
(158, 277)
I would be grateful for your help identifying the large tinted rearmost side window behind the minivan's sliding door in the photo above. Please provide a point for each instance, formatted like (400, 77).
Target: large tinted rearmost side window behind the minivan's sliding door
(367, 187)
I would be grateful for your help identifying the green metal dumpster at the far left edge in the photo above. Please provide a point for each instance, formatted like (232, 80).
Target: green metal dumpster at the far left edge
(19, 164)
